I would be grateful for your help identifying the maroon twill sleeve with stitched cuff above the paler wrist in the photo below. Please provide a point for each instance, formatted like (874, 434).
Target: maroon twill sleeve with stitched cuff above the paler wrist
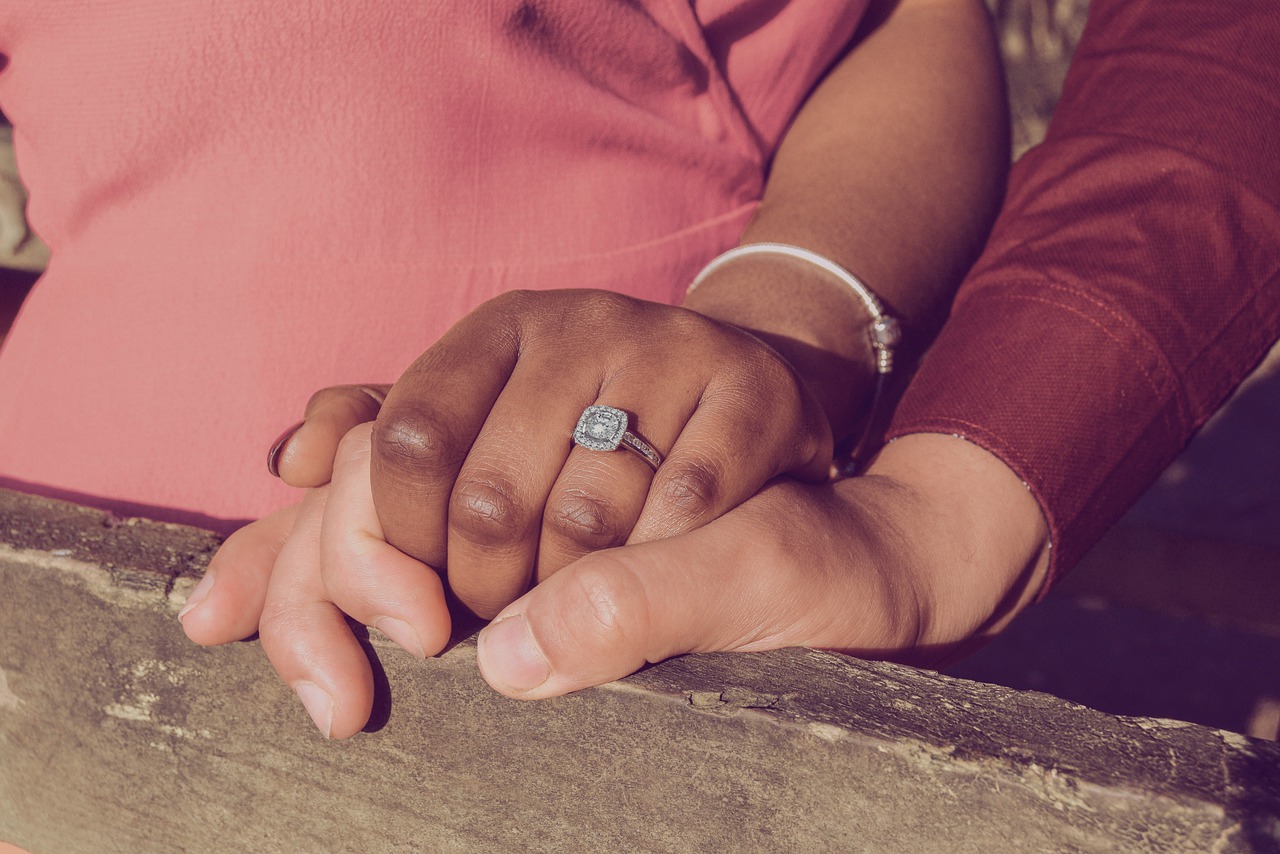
(1133, 278)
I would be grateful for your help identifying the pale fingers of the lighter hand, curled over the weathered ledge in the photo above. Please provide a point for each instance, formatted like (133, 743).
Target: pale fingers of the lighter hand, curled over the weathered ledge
(290, 577)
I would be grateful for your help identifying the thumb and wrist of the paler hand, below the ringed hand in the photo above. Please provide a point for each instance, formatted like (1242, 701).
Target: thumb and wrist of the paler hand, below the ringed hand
(936, 549)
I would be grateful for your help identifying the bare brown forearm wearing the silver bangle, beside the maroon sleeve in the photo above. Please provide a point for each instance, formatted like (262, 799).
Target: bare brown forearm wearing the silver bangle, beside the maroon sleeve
(894, 170)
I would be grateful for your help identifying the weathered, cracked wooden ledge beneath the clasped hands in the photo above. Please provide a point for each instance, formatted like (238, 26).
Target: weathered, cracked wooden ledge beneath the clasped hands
(120, 736)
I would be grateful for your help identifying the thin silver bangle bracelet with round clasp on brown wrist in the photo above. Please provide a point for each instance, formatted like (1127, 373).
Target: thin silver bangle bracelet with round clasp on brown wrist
(885, 332)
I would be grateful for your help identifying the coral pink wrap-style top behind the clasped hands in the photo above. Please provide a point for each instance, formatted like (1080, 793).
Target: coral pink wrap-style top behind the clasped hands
(250, 202)
